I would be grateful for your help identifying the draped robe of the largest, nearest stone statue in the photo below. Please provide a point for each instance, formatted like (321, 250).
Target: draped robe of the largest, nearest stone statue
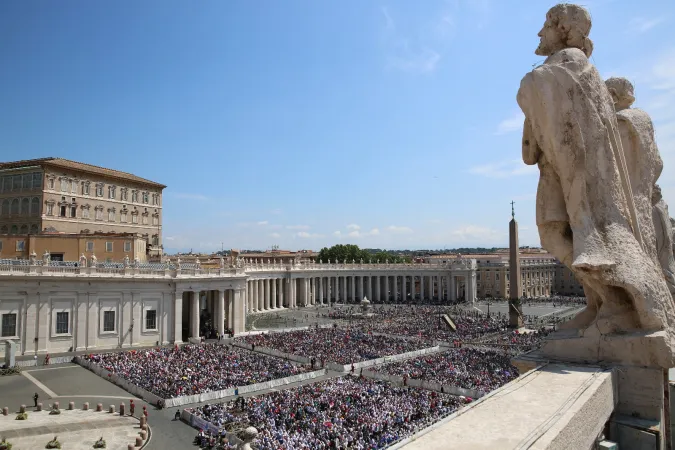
(570, 114)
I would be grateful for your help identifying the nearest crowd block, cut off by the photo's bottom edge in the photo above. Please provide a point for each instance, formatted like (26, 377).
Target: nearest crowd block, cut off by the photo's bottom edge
(342, 413)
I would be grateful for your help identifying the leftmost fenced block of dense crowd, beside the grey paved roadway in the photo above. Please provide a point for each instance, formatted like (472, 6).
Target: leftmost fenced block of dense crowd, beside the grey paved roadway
(193, 369)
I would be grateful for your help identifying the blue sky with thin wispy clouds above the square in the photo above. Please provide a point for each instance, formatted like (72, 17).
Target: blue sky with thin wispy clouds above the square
(304, 124)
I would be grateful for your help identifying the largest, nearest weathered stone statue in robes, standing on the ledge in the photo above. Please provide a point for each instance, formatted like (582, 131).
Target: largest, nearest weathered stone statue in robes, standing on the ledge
(586, 214)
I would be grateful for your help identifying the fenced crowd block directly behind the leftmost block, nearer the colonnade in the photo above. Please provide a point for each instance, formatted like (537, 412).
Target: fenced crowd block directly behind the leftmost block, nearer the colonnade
(338, 345)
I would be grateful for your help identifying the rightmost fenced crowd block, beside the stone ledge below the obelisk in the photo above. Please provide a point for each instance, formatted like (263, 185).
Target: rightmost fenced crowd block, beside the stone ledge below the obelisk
(483, 370)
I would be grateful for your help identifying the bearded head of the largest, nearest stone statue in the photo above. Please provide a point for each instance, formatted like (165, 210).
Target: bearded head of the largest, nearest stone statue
(566, 26)
